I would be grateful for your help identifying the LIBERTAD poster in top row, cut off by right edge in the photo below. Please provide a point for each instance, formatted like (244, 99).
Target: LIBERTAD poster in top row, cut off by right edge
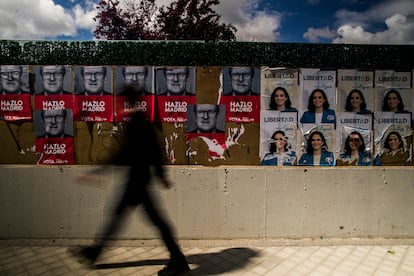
(393, 91)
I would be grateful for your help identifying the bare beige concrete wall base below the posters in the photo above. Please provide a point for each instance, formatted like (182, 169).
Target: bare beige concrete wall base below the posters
(215, 202)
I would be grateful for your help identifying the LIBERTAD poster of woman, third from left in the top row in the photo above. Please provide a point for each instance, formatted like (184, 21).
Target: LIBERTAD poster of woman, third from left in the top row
(356, 91)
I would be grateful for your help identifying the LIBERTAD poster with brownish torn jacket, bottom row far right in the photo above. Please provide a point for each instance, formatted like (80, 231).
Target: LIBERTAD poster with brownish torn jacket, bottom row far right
(393, 139)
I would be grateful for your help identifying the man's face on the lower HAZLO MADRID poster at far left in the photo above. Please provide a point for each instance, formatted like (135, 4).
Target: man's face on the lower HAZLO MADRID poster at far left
(54, 122)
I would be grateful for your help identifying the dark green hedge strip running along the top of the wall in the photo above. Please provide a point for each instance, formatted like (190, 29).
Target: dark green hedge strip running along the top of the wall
(292, 55)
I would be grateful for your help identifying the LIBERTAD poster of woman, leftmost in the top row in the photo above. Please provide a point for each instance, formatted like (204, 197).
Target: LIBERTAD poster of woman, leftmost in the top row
(272, 78)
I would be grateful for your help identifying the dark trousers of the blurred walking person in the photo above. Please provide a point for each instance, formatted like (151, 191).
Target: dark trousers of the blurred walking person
(133, 197)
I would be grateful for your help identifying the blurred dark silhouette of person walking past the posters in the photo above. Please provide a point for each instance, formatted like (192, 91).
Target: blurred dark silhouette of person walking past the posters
(139, 152)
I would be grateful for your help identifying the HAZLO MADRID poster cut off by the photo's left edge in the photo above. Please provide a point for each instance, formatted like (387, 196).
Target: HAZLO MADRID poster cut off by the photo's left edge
(15, 103)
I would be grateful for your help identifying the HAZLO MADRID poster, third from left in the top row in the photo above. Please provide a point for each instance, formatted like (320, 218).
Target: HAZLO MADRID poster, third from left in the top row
(93, 94)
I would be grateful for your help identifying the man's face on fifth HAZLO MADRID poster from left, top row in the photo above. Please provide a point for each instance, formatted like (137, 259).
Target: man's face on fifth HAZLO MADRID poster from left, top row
(176, 80)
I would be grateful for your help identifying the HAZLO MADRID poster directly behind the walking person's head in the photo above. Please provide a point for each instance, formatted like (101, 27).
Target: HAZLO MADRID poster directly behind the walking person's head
(141, 80)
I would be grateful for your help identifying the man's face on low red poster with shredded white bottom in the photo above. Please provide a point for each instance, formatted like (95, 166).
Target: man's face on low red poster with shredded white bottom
(206, 117)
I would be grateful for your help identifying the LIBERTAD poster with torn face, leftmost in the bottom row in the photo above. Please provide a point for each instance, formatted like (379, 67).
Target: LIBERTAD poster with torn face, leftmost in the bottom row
(278, 138)
